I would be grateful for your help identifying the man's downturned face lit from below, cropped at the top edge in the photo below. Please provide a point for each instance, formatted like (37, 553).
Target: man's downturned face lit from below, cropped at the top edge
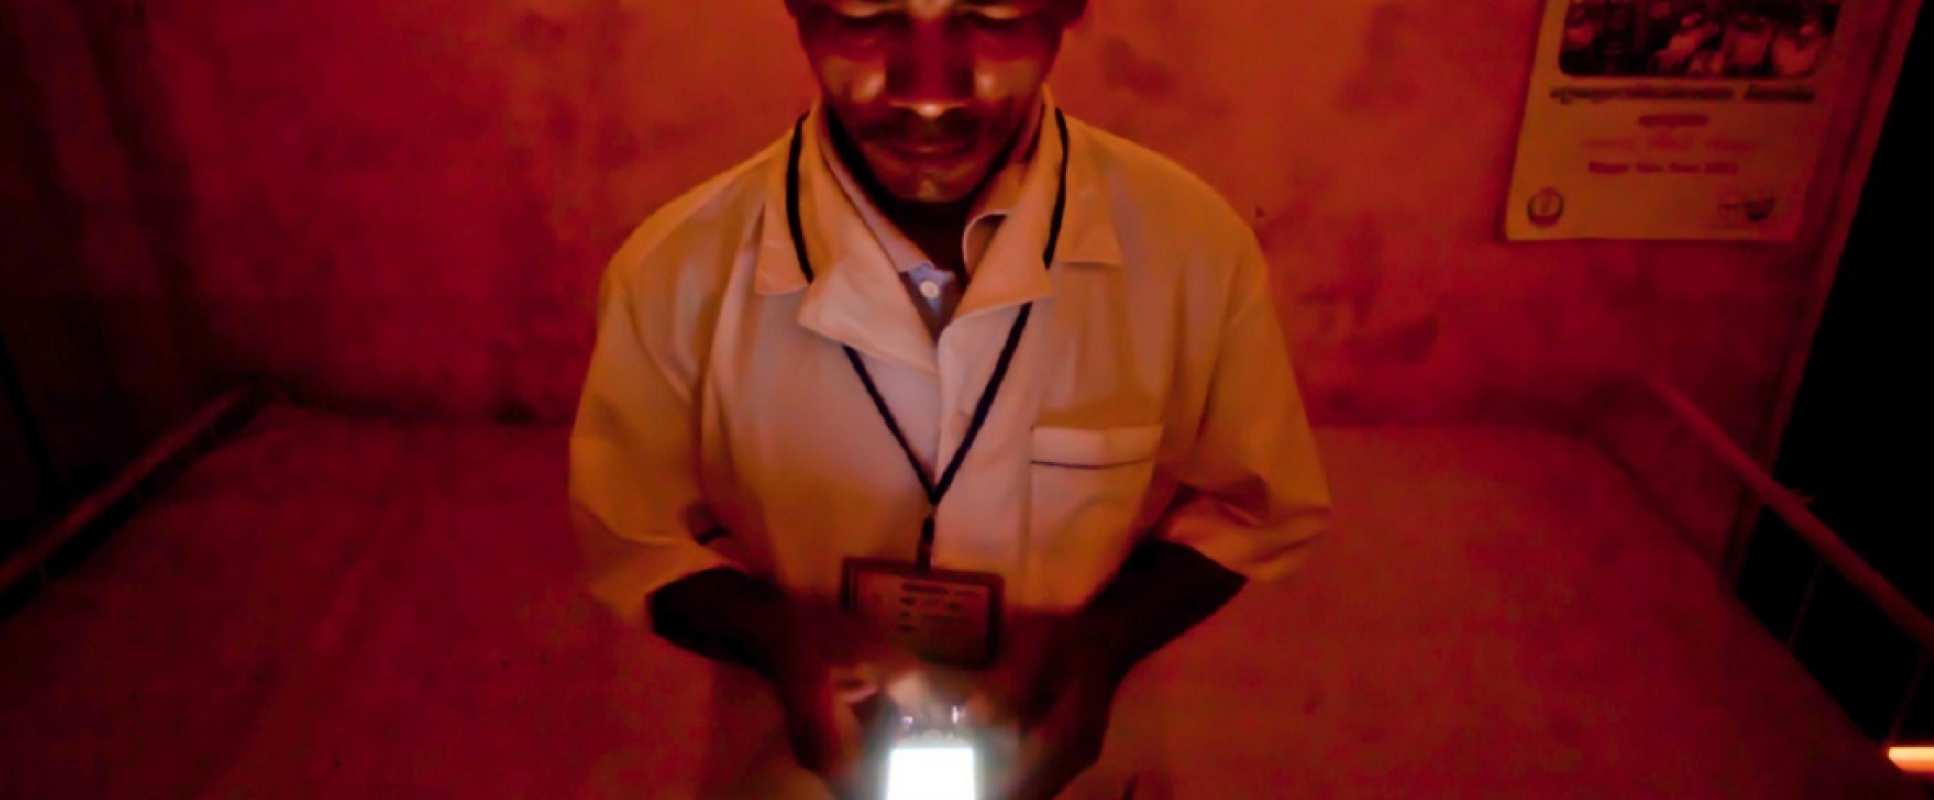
(931, 92)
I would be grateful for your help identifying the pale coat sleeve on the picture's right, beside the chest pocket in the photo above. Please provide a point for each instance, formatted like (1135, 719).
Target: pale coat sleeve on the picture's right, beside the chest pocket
(1252, 494)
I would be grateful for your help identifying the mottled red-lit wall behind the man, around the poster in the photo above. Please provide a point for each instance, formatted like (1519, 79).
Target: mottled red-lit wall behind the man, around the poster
(403, 206)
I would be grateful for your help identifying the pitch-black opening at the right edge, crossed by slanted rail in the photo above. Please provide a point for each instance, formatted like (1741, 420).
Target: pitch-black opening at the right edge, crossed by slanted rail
(1860, 440)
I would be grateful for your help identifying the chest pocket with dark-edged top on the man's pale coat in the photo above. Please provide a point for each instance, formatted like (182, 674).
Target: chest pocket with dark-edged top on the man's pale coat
(1088, 484)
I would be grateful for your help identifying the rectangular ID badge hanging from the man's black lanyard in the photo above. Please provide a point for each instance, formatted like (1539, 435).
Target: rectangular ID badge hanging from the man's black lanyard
(945, 617)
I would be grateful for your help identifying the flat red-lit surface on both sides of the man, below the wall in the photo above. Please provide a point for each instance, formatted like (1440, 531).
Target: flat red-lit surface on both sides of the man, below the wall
(334, 608)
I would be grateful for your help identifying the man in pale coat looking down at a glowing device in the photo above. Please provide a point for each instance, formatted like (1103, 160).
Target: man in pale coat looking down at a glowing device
(941, 341)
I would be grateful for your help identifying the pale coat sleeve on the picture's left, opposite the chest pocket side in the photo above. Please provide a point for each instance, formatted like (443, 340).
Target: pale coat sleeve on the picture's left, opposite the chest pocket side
(635, 494)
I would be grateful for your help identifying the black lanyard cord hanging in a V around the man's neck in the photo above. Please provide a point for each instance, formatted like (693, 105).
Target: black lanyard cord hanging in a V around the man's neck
(935, 492)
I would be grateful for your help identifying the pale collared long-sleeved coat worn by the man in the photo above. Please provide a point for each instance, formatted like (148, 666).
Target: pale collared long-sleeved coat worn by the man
(1150, 397)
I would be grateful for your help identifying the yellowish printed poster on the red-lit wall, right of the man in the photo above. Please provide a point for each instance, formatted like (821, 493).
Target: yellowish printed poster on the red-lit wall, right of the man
(1674, 119)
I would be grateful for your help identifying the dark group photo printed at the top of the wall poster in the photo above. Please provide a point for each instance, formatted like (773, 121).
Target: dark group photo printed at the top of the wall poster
(1697, 38)
